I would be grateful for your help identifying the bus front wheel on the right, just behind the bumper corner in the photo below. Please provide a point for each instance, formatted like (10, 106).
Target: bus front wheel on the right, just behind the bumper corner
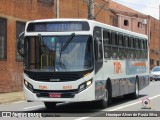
(103, 102)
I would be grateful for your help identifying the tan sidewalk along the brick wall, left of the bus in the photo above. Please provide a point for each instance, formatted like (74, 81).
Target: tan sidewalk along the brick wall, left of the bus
(11, 97)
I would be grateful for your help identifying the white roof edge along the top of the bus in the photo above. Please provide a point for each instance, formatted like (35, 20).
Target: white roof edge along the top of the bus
(92, 24)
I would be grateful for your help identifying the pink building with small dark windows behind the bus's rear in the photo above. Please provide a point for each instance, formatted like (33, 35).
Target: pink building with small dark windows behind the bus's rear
(135, 21)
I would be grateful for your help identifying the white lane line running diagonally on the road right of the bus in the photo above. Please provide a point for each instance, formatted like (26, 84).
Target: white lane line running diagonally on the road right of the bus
(114, 109)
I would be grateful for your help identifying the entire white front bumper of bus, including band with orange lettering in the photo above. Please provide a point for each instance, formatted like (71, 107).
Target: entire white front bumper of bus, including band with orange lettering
(41, 90)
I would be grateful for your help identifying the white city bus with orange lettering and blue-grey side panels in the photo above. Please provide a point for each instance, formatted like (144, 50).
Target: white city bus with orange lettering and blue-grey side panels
(74, 60)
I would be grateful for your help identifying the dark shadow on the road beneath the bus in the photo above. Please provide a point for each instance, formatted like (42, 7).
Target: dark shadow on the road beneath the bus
(82, 107)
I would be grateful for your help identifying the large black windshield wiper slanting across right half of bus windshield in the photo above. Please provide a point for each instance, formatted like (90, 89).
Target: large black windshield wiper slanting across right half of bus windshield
(63, 47)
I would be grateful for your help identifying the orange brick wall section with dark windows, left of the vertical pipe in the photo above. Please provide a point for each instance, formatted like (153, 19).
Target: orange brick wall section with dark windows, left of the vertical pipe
(13, 16)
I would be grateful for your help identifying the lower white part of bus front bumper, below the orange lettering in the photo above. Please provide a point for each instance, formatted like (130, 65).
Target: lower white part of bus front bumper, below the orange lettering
(86, 95)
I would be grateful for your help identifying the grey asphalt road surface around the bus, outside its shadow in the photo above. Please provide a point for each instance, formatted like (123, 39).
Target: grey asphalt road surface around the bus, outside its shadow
(89, 110)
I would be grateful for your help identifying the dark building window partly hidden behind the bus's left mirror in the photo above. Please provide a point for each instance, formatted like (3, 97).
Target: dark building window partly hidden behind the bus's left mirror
(20, 26)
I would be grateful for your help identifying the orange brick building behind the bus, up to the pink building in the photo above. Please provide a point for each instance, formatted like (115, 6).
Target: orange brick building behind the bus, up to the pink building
(13, 16)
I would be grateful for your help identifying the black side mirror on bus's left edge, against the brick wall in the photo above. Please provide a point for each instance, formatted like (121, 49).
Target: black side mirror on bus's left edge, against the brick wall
(20, 44)
